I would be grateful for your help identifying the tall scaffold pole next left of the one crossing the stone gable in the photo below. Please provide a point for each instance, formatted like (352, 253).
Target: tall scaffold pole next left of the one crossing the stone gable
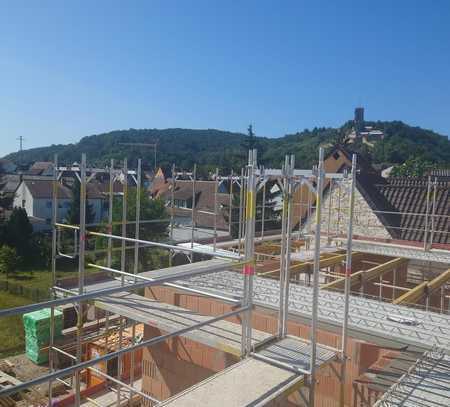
(316, 272)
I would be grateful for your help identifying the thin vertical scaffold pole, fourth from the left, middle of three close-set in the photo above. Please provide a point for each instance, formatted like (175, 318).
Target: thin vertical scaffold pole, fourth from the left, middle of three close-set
(122, 268)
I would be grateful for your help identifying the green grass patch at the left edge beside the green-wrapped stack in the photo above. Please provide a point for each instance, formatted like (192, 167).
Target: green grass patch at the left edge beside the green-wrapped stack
(11, 328)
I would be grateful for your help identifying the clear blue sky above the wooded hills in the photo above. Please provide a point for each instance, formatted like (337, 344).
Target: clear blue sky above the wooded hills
(69, 69)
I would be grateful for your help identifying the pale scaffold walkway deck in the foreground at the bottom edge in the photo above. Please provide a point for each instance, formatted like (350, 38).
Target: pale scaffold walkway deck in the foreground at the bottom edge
(273, 372)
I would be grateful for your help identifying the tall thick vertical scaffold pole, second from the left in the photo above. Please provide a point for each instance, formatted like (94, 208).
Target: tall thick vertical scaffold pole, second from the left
(81, 254)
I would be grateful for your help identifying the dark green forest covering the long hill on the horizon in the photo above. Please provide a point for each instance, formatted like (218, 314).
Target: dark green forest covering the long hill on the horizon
(212, 148)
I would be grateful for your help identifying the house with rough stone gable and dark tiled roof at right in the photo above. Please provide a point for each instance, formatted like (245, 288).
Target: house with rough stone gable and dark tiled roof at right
(392, 209)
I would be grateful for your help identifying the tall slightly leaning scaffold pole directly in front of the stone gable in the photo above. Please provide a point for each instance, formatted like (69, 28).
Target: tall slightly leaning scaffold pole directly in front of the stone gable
(348, 272)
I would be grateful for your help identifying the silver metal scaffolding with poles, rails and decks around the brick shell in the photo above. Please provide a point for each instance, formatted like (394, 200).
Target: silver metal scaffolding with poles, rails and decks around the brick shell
(213, 278)
